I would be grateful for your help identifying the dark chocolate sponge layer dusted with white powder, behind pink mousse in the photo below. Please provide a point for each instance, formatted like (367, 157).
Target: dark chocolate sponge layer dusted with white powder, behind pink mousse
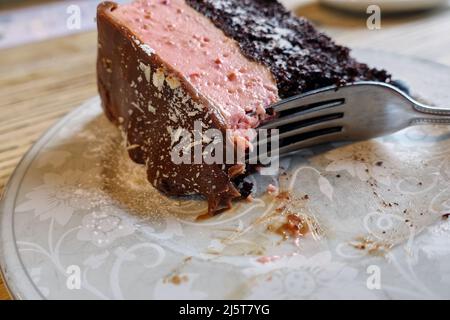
(300, 57)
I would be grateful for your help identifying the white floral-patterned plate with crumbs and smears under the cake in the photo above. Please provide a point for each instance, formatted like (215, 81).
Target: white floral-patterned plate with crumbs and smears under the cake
(79, 220)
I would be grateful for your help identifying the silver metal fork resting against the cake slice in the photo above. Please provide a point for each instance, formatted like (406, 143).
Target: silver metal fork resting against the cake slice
(353, 112)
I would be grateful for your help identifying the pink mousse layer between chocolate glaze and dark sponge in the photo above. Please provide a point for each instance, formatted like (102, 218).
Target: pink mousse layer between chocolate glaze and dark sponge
(203, 55)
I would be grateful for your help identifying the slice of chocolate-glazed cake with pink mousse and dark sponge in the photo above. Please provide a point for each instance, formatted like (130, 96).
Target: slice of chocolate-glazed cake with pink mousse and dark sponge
(164, 65)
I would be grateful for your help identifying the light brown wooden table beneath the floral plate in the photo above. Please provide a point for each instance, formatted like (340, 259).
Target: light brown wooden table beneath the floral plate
(39, 83)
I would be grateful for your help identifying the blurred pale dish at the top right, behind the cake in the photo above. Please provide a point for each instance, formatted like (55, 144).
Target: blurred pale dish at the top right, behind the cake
(385, 5)
